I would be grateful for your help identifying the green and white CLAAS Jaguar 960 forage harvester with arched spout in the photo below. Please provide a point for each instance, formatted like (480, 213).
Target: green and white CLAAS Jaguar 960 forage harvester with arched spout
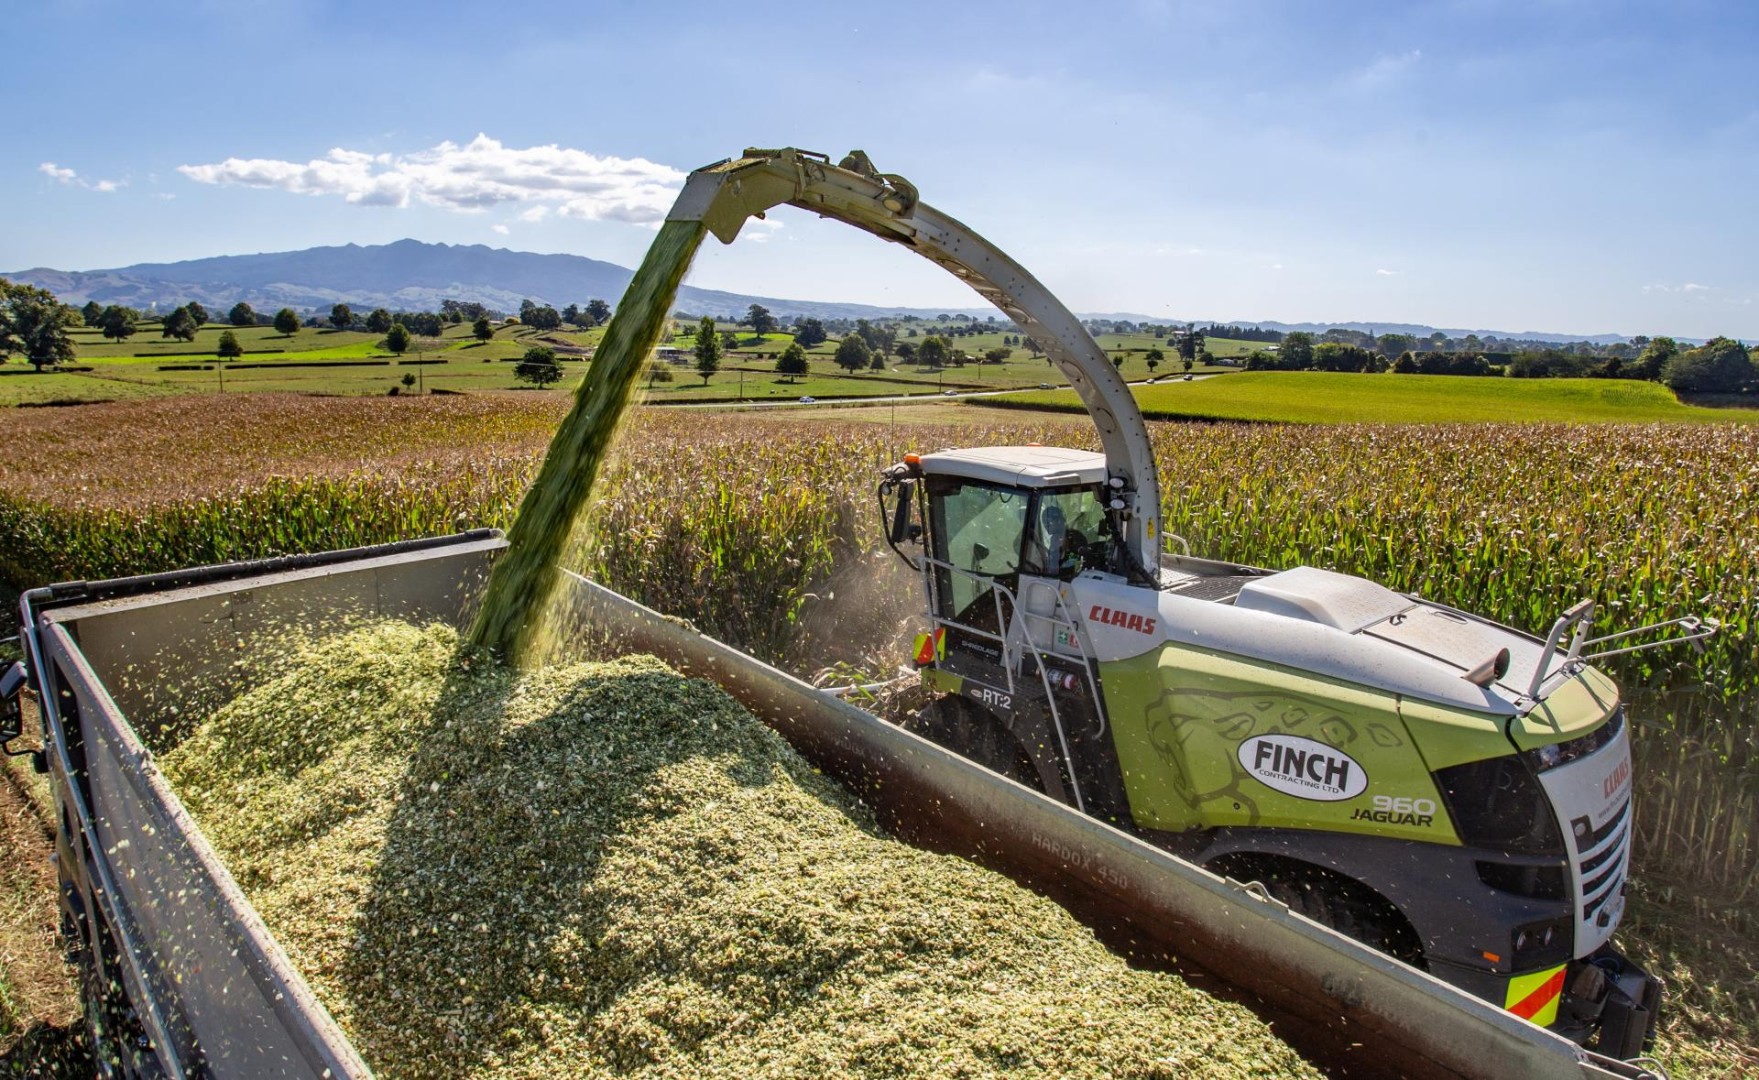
(1445, 789)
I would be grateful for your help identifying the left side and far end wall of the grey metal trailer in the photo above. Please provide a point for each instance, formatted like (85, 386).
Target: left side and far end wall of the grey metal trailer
(212, 988)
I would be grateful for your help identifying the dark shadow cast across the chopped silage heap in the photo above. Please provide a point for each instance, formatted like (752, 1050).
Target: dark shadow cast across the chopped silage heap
(490, 921)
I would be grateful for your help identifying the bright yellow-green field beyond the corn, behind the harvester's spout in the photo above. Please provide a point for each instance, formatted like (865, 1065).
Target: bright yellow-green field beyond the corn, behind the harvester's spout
(1334, 398)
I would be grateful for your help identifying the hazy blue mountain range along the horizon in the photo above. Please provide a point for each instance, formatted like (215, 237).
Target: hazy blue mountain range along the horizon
(414, 277)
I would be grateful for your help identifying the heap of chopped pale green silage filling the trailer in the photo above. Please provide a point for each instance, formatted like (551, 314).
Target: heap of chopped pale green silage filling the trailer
(609, 870)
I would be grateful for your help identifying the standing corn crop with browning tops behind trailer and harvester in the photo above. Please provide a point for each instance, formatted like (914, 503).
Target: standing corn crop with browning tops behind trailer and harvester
(734, 522)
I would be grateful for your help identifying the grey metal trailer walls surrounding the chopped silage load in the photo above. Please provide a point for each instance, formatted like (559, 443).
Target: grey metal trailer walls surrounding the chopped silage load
(182, 979)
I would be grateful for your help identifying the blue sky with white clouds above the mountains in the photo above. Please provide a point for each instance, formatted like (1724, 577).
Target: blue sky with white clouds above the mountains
(1538, 164)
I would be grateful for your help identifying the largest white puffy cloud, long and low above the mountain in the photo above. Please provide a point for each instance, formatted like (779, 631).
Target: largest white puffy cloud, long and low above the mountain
(471, 179)
